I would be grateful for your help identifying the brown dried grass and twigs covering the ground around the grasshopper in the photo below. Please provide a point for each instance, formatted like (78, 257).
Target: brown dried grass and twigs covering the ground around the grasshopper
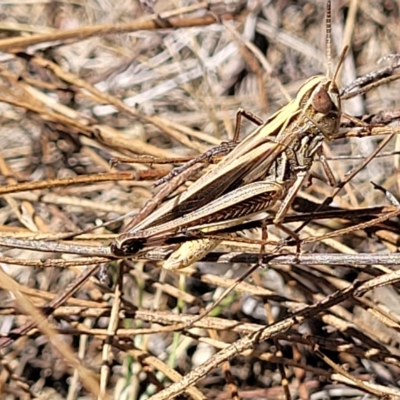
(86, 82)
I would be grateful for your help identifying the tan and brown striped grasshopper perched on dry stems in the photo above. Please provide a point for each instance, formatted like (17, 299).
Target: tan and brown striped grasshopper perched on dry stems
(269, 165)
